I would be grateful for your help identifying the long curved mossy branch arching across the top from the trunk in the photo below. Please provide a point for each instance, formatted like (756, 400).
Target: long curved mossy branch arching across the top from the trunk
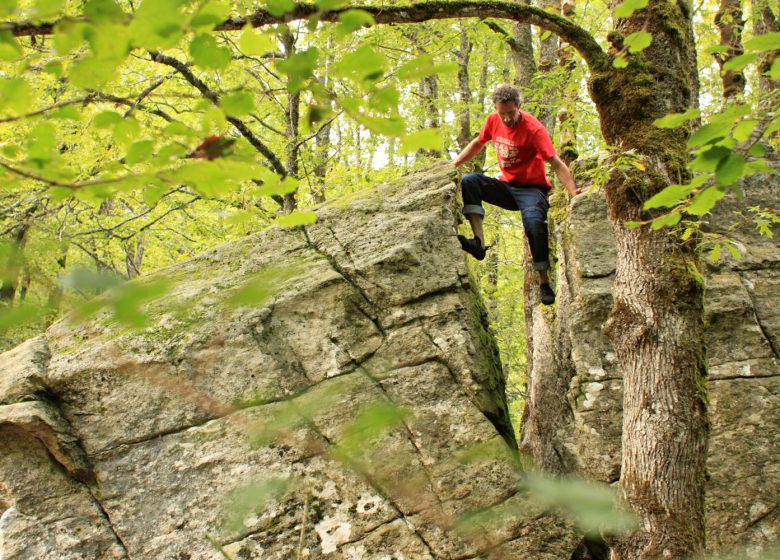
(418, 12)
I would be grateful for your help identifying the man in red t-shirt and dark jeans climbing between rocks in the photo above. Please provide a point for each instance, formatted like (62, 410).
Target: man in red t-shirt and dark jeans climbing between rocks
(523, 146)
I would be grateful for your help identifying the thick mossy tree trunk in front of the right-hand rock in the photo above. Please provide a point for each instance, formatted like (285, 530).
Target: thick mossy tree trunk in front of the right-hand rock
(656, 324)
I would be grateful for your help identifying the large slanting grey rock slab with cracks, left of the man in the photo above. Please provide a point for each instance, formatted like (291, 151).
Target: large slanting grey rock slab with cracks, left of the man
(327, 392)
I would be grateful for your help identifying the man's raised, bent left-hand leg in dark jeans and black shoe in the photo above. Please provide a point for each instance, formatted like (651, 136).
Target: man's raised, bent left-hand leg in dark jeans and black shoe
(477, 188)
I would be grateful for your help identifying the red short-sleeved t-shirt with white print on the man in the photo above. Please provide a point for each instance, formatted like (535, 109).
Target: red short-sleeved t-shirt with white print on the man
(522, 149)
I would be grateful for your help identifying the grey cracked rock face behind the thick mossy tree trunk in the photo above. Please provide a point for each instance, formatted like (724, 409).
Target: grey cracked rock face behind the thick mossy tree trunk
(574, 371)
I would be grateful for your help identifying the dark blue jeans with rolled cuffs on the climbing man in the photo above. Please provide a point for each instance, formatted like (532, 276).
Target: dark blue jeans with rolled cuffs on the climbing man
(530, 200)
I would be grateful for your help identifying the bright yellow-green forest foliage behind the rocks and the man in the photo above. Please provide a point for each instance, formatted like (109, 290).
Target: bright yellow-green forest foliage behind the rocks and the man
(137, 134)
